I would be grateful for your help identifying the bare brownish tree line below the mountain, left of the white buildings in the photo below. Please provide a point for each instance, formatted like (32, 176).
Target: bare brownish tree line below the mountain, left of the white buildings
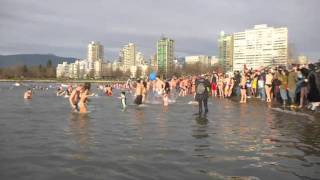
(25, 72)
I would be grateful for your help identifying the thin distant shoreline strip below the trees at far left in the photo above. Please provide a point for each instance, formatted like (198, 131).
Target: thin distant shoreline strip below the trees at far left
(59, 81)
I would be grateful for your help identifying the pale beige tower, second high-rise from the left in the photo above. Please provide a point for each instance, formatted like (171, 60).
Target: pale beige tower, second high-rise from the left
(129, 56)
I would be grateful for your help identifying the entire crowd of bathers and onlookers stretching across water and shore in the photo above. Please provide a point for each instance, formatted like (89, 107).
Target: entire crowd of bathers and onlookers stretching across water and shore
(295, 87)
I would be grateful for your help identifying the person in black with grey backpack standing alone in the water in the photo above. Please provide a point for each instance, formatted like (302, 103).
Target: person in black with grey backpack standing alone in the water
(202, 93)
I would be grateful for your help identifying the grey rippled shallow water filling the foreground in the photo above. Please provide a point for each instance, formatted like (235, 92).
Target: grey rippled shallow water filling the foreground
(42, 139)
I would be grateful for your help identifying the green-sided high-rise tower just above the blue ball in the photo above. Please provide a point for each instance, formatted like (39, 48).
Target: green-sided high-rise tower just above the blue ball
(165, 56)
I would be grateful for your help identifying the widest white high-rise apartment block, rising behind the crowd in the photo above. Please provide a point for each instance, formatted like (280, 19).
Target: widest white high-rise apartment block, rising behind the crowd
(260, 46)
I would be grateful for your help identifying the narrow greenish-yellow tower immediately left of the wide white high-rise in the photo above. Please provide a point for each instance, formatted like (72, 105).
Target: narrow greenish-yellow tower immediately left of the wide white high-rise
(225, 51)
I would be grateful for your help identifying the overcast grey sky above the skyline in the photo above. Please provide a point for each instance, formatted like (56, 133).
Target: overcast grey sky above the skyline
(65, 27)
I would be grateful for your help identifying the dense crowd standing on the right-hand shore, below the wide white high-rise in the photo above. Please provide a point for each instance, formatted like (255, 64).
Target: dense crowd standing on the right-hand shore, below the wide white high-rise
(295, 86)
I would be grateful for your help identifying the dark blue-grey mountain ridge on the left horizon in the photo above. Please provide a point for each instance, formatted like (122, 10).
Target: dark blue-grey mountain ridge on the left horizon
(32, 59)
